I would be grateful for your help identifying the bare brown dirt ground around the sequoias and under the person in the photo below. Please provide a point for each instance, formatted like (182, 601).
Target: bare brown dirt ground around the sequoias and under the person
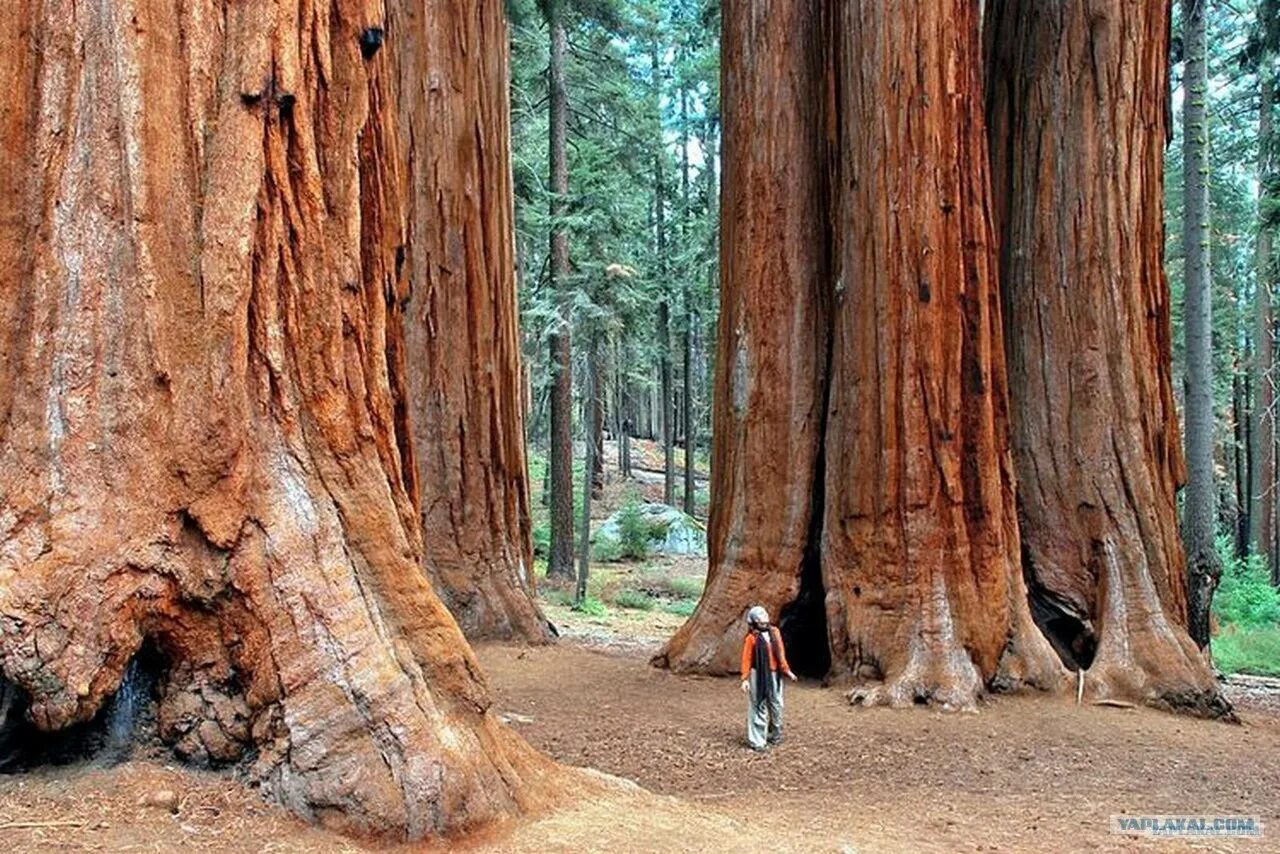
(1022, 775)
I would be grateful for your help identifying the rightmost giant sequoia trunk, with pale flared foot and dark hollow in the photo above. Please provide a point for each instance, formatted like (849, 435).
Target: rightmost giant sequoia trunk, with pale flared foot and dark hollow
(1077, 115)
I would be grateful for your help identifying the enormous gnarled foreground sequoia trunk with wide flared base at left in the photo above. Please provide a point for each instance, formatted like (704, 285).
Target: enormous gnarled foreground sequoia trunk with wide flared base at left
(203, 383)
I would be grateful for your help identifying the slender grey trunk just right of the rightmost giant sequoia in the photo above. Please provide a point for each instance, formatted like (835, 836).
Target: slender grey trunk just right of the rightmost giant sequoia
(1199, 512)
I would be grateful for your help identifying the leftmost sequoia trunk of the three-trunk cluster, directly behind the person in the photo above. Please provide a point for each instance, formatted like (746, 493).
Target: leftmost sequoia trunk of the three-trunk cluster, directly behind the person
(769, 395)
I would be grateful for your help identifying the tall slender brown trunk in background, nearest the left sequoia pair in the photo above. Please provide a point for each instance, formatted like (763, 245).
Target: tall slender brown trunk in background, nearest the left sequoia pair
(561, 561)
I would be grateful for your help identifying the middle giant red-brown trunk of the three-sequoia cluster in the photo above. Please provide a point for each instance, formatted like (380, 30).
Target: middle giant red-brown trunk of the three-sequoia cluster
(920, 537)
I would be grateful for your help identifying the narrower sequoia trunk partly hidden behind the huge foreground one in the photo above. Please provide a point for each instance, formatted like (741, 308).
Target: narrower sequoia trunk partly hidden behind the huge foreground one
(463, 348)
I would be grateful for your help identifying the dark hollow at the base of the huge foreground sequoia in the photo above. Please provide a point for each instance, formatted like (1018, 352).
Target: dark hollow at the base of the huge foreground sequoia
(126, 721)
